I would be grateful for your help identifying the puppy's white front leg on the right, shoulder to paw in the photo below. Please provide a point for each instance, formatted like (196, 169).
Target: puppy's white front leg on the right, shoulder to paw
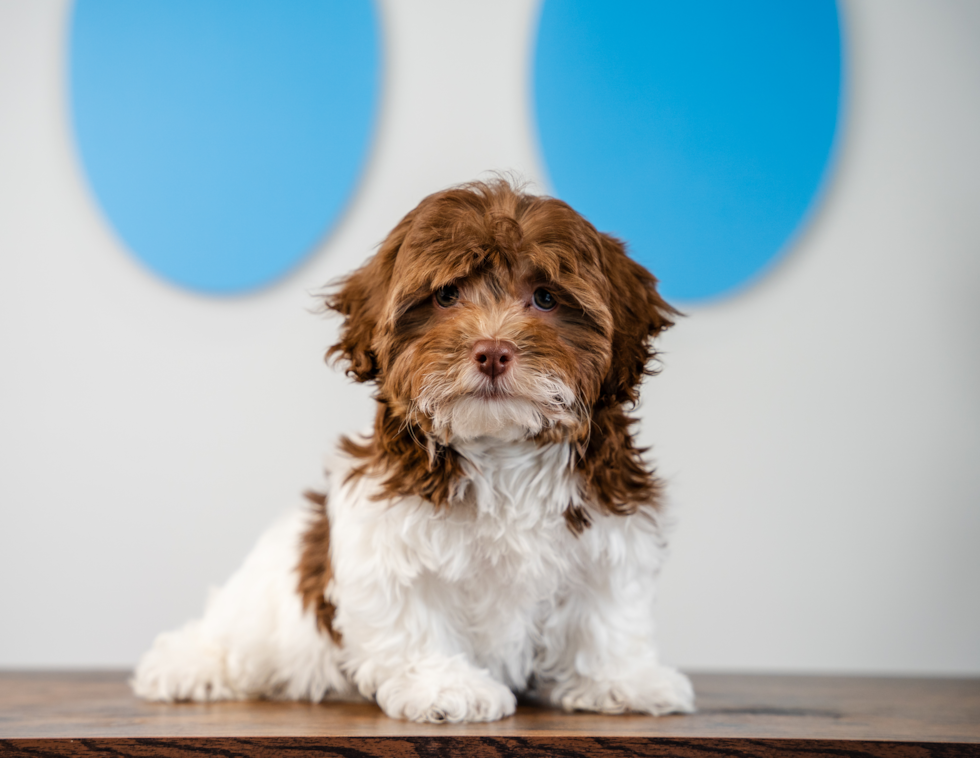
(598, 644)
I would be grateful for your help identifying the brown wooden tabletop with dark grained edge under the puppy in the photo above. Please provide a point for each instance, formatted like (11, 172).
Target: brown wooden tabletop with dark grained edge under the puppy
(45, 715)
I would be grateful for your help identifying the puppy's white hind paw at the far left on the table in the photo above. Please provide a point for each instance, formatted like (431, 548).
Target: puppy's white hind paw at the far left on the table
(182, 665)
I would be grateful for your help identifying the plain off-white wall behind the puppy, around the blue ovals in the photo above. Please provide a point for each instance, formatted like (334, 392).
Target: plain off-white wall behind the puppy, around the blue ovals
(820, 432)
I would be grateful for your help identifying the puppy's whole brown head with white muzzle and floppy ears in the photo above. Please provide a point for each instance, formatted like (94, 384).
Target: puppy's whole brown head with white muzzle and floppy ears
(488, 312)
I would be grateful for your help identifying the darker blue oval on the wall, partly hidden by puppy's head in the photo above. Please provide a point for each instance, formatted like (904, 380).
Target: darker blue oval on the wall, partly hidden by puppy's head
(699, 131)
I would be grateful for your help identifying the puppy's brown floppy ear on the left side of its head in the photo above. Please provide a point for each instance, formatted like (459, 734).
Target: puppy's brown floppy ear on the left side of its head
(360, 298)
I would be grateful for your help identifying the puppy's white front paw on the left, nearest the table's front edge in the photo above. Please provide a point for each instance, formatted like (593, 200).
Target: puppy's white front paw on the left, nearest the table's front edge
(445, 690)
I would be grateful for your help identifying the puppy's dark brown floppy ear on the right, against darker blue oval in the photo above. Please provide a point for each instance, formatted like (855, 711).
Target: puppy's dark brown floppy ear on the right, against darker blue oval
(639, 314)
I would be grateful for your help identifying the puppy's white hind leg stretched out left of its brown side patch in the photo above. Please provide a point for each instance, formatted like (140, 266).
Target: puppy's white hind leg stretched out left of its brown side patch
(254, 639)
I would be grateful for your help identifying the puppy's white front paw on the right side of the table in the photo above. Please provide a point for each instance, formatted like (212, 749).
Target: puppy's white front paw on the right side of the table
(656, 691)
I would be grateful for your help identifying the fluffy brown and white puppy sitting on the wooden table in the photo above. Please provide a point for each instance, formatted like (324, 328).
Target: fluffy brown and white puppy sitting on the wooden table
(498, 529)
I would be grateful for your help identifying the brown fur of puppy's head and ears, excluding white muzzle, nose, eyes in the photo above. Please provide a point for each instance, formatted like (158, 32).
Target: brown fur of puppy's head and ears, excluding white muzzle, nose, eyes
(497, 245)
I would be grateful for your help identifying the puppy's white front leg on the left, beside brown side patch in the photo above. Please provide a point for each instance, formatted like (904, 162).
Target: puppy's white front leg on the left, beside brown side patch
(405, 642)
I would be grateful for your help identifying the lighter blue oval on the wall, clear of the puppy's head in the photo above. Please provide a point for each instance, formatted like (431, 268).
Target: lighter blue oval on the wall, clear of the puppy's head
(223, 138)
